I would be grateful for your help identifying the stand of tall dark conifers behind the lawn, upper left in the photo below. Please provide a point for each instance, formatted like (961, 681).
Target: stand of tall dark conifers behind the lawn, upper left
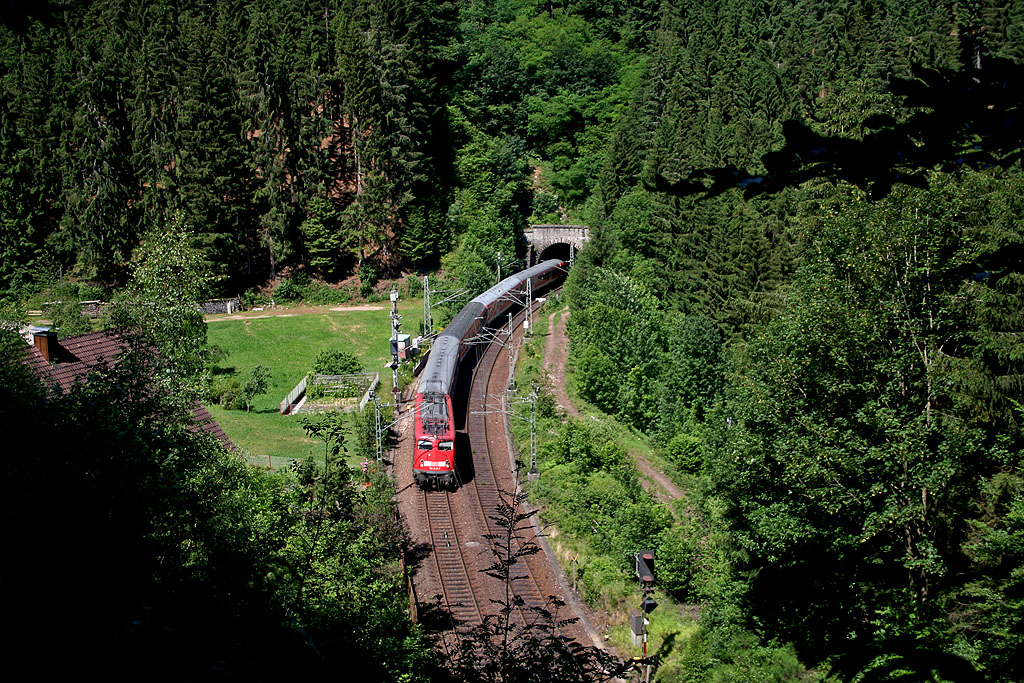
(286, 134)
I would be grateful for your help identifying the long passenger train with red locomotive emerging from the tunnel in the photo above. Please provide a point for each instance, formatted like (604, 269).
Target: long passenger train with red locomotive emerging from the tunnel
(435, 455)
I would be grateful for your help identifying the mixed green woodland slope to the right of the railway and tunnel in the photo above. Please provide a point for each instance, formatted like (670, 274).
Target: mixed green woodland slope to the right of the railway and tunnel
(806, 284)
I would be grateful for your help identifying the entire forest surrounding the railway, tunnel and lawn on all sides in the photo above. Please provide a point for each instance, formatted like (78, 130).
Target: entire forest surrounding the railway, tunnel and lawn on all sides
(805, 285)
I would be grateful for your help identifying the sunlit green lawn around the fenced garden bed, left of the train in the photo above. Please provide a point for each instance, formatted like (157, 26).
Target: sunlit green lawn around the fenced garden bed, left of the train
(288, 344)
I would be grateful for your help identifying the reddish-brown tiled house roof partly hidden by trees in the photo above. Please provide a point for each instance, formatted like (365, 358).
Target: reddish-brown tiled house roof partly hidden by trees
(74, 358)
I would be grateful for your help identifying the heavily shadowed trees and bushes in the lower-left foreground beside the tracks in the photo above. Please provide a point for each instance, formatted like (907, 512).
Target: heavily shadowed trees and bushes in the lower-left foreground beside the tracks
(147, 551)
